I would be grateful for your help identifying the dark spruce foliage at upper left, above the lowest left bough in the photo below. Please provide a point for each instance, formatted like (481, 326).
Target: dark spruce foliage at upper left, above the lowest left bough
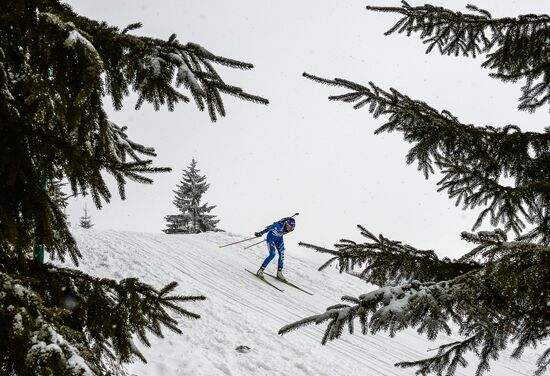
(60, 119)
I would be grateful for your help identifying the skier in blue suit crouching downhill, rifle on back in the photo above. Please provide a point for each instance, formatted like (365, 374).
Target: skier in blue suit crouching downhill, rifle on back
(275, 242)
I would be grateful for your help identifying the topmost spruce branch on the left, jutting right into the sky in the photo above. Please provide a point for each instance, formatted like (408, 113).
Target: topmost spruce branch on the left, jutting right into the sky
(153, 67)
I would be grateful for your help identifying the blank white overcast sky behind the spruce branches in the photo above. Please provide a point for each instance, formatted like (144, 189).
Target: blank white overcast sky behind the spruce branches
(302, 153)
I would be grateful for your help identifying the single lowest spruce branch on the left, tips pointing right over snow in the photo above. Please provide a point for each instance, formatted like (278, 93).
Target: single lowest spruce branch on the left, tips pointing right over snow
(130, 307)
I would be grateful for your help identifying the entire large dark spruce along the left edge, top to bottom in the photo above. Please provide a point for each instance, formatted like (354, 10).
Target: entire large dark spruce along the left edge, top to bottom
(56, 69)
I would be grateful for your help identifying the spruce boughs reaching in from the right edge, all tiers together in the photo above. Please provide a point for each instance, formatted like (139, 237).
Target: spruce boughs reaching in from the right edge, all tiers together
(498, 293)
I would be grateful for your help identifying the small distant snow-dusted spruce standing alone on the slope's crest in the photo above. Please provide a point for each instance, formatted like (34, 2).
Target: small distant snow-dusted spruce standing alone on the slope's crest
(193, 217)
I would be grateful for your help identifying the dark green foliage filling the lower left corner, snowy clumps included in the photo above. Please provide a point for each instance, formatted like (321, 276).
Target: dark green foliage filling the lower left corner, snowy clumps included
(57, 302)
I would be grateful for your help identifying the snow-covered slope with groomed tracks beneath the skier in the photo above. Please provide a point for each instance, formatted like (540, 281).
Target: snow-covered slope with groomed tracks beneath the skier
(242, 310)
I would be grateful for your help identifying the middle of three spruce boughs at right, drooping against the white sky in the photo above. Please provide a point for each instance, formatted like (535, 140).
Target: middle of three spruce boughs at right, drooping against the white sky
(481, 156)
